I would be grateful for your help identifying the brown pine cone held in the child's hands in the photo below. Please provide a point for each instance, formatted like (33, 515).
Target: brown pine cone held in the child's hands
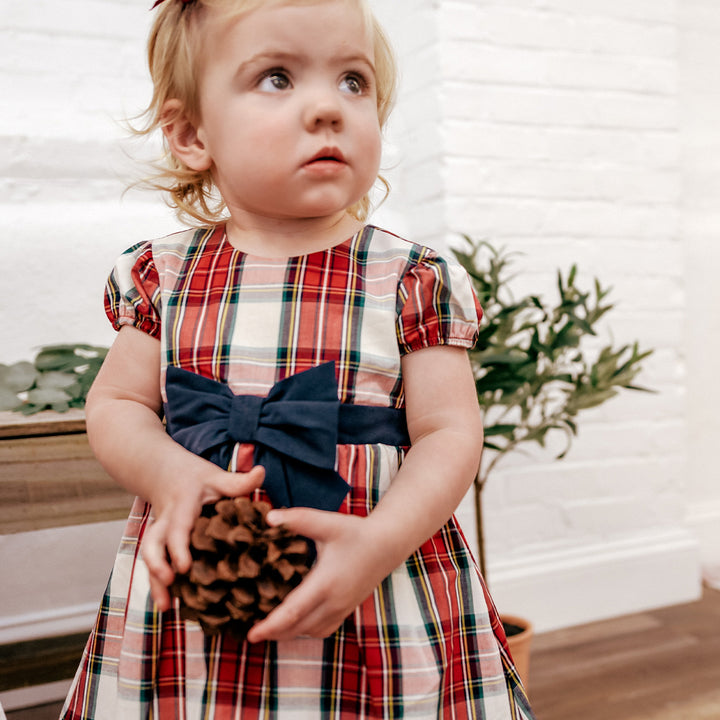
(242, 567)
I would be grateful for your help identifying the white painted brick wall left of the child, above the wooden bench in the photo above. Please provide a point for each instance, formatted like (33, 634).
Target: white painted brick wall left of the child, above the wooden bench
(70, 72)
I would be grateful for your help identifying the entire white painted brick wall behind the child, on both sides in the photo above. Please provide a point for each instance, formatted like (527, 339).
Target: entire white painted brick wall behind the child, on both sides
(572, 130)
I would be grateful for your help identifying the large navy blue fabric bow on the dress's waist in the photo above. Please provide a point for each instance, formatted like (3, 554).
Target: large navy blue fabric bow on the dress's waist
(294, 430)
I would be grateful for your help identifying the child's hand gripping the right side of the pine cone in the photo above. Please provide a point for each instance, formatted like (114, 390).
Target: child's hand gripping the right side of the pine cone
(351, 563)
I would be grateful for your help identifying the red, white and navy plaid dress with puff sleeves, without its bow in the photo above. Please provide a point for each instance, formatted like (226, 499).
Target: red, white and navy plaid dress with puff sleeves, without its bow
(427, 643)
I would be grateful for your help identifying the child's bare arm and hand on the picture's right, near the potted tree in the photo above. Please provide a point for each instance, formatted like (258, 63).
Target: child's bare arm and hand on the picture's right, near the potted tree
(355, 554)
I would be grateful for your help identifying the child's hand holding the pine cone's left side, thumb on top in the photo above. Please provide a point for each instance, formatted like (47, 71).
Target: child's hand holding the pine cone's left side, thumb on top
(166, 542)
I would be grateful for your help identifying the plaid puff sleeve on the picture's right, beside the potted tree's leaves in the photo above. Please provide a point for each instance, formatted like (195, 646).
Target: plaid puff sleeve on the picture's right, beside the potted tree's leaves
(436, 305)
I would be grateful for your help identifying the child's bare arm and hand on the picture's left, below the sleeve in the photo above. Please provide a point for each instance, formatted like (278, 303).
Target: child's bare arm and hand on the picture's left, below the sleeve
(126, 433)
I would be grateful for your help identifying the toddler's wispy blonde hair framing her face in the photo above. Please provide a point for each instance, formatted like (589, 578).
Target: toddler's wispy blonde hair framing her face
(174, 50)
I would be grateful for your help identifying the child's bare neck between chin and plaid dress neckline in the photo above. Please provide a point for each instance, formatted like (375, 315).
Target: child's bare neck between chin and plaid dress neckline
(283, 238)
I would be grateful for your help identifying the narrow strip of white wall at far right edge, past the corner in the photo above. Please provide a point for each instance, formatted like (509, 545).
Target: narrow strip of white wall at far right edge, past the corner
(700, 120)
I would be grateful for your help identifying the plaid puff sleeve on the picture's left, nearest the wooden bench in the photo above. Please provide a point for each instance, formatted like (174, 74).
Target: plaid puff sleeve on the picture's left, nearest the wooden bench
(132, 292)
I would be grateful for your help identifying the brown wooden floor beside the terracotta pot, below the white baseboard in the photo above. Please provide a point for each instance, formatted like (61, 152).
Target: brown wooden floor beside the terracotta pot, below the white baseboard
(658, 665)
